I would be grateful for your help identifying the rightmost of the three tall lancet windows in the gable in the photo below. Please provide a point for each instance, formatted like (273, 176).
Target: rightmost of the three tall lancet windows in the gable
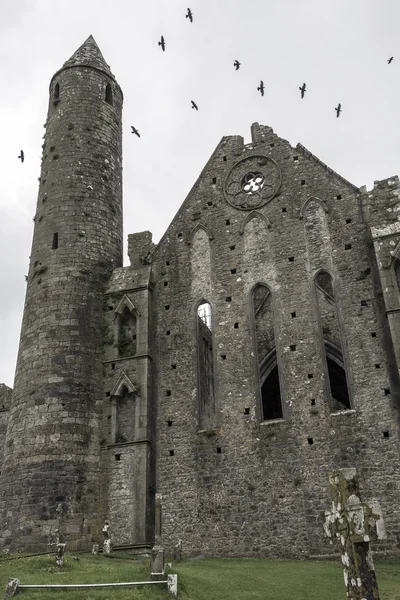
(332, 342)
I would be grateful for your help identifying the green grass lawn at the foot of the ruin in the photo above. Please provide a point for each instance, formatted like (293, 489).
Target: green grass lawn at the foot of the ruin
(208, 579)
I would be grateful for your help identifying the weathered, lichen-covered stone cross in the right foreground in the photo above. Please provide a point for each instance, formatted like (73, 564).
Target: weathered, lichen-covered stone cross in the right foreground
(354, 523)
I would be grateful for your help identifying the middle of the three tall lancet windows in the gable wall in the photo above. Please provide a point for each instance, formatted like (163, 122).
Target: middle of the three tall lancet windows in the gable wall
(268, 370)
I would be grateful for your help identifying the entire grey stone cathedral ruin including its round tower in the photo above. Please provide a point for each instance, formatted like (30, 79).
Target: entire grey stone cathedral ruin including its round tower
(229, 368)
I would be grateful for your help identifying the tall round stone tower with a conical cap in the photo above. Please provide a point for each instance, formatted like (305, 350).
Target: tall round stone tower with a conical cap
(51, 475)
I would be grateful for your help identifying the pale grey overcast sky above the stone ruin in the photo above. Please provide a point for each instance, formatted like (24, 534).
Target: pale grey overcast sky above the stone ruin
(338, 47)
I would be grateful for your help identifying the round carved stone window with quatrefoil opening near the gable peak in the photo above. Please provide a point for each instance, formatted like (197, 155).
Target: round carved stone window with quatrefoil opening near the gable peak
(252, 182)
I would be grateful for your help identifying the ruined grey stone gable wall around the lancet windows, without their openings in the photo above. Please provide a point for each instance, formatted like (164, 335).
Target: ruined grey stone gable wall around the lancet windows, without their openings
(251, 487)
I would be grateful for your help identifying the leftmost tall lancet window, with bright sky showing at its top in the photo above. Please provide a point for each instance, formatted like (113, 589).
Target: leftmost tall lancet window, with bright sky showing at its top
(205, 366)
